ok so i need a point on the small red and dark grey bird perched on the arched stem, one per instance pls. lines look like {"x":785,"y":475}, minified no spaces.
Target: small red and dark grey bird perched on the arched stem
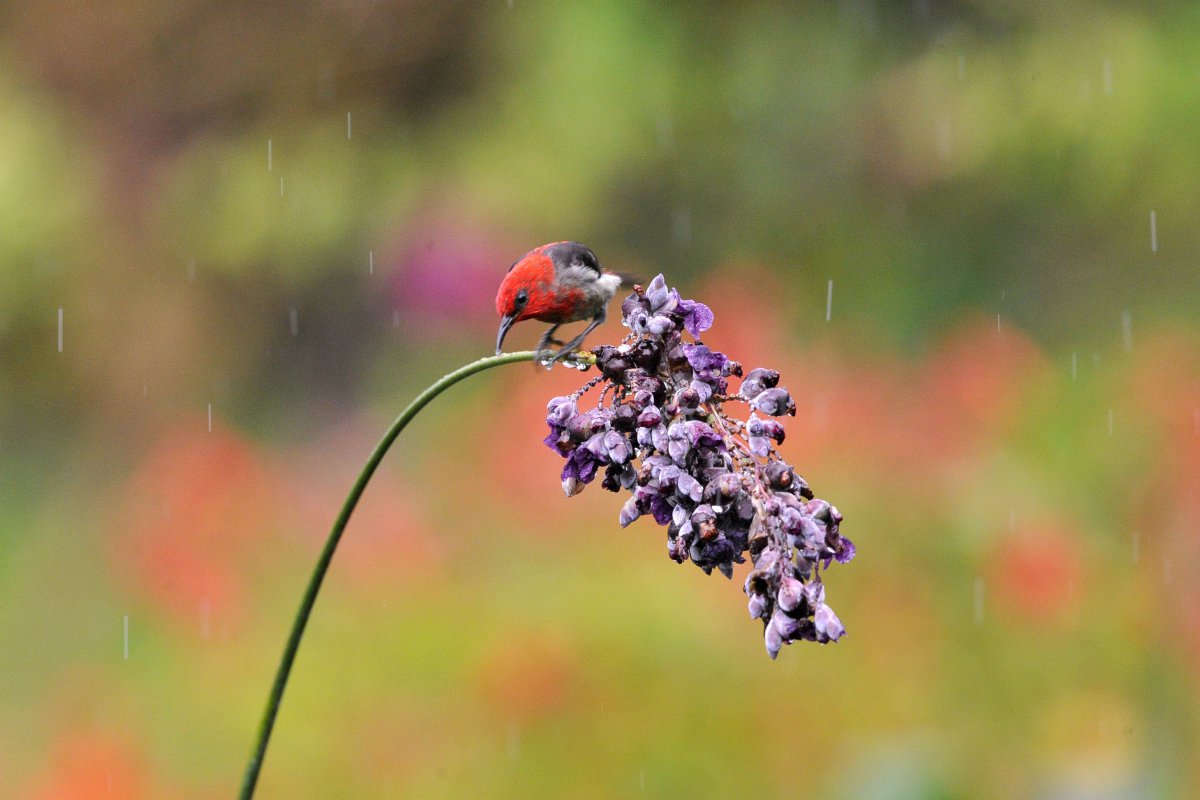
{"x":557,"y":284}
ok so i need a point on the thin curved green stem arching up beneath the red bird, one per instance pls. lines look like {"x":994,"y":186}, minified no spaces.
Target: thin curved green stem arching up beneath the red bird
{"x":327,"y":555}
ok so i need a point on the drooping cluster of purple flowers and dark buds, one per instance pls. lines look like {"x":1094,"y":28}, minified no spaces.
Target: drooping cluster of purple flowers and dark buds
{"x":661,"y":431}
